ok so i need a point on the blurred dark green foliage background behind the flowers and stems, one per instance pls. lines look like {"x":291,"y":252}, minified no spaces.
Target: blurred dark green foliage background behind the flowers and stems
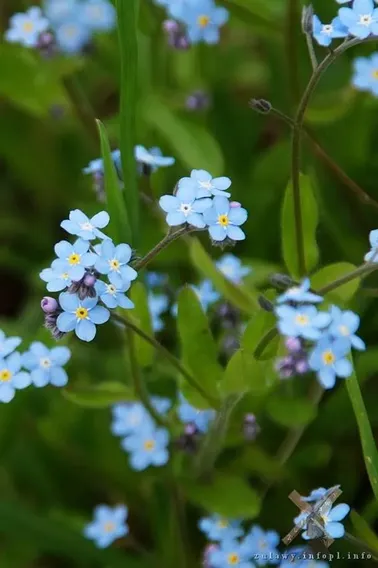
{"x":58,"y":459}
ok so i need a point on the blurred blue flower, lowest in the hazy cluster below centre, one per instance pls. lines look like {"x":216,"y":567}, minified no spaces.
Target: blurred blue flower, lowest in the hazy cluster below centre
{"x":147,"y":446}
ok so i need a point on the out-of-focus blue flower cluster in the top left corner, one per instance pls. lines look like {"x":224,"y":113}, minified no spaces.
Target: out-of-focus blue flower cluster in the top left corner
{"x":67,"y":25}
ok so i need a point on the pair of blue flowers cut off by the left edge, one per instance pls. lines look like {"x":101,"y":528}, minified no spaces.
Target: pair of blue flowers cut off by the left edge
{"x":39,"y":366}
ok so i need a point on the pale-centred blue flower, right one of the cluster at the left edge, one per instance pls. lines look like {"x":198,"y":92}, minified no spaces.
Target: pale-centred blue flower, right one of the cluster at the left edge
{"x":46,"y":364}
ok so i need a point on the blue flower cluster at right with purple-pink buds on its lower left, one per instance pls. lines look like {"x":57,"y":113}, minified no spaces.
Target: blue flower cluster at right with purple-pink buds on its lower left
{"x":317,"y":341}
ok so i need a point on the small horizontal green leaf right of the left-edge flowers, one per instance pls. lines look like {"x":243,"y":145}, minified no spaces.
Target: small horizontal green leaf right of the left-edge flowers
{"x":99,"y":396}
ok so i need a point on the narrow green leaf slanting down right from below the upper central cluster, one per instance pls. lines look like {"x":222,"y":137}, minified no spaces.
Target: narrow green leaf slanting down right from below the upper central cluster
{"x":239,"y":296}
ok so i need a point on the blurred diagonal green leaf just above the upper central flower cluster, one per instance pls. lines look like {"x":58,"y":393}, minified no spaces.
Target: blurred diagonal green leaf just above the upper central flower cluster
{"x":190,"y":142}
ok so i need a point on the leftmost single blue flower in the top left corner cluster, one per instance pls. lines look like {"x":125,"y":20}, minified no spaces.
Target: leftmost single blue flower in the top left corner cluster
{"x":25,"y":28}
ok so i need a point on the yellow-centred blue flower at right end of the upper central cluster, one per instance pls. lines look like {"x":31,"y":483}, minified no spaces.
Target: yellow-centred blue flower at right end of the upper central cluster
{"x":224,"y":220}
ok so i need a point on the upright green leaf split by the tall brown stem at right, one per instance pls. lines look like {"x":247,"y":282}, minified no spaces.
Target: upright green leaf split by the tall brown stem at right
{"x":309,"y":211}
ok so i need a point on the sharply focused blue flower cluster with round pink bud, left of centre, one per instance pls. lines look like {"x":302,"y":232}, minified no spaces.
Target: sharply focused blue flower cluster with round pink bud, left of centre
{"x":77,"y":269}
